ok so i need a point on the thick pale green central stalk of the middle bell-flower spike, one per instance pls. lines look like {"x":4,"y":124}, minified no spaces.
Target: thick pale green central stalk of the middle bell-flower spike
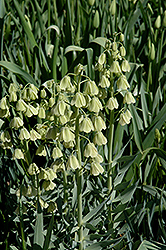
{"x":79,"y":177}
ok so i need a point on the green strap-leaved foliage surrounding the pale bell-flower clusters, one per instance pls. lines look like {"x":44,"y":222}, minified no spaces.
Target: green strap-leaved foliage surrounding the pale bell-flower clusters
{"x":45,"y":40}
